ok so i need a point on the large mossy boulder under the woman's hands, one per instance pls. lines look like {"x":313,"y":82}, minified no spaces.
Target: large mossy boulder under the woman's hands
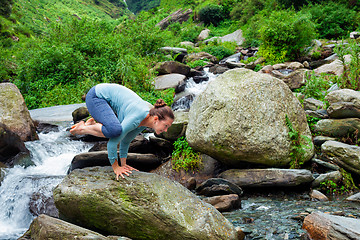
{"x":141,"y":206}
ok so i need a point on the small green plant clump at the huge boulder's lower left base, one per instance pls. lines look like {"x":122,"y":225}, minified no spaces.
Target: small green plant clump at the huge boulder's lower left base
{"x":183,"y":156}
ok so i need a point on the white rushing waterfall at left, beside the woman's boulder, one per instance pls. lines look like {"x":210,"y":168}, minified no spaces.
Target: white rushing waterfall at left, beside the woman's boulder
{"x":52,"y":155}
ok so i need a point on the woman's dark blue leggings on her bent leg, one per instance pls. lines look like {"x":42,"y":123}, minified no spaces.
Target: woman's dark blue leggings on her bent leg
{"x":102,"y":112}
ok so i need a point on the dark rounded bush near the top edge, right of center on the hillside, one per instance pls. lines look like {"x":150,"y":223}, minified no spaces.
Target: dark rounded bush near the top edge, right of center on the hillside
{"x":212,"y":14}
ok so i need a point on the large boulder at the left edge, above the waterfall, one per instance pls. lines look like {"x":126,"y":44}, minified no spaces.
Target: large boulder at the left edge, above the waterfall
{"x":14,"y":113}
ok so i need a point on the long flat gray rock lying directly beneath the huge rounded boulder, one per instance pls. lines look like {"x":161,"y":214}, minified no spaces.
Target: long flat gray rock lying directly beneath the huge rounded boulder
{"x":273,"y":177}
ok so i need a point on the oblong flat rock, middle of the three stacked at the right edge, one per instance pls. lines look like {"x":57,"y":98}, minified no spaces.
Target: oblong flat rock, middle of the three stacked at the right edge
{"x":338,"y":127}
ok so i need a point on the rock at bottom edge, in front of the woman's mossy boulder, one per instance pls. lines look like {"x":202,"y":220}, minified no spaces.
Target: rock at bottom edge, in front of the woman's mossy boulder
{"x":46,"y":227}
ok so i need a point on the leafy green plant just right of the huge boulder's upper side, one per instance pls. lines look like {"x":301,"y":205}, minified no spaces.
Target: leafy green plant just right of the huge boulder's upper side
{"x":315,"y":87}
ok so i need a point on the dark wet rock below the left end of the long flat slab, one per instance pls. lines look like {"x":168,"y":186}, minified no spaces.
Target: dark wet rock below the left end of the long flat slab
{"x":218,"y":186}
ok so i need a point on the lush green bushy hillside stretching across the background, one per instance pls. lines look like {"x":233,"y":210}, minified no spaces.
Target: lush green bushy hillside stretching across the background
{"x":54,"y":51}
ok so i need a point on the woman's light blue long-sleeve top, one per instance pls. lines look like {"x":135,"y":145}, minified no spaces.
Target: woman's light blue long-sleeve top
{"x":130,"y":110}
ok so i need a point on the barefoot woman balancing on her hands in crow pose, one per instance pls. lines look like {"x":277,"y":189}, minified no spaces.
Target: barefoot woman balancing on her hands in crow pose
{"x":120,"y":114}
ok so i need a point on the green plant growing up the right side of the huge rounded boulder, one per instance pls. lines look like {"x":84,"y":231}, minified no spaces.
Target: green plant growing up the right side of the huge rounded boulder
{"x":297,"y":148}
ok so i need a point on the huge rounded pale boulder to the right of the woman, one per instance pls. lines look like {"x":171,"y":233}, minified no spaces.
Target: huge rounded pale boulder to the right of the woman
{"x":241,"y":117}
